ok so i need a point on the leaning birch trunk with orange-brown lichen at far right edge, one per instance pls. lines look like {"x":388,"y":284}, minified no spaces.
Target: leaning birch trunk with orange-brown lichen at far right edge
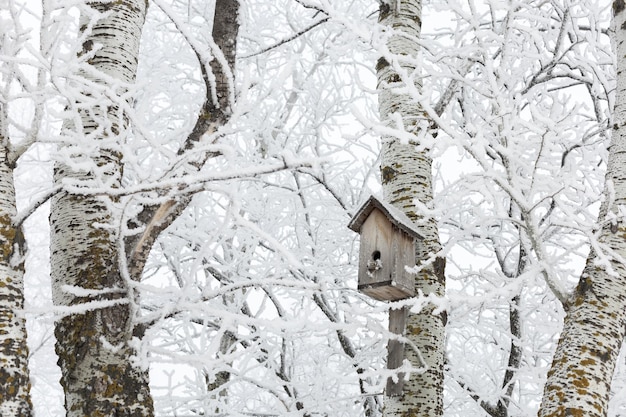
{"x":579,"y":380}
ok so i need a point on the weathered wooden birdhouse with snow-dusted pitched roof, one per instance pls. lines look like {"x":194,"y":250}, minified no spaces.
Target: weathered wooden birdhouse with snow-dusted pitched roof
{"x":387,"y":247}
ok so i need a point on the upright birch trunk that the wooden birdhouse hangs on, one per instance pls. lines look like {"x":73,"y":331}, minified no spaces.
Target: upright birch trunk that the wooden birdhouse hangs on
{"x":406,"y":177}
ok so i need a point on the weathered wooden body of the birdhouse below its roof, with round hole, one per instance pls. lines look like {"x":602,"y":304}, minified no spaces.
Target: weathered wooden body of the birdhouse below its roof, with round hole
{"x":384,"y":253}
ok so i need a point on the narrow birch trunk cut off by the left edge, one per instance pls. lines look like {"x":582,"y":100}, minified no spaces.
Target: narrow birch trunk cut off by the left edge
{"x":14,"y":376}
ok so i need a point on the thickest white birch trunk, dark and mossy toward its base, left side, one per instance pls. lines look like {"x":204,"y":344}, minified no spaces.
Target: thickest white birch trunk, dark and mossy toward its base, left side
{"x":99,"y":376}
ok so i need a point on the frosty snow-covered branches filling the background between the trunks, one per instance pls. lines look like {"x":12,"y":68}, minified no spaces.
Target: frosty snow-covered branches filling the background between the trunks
{"x":262,"y":250}
